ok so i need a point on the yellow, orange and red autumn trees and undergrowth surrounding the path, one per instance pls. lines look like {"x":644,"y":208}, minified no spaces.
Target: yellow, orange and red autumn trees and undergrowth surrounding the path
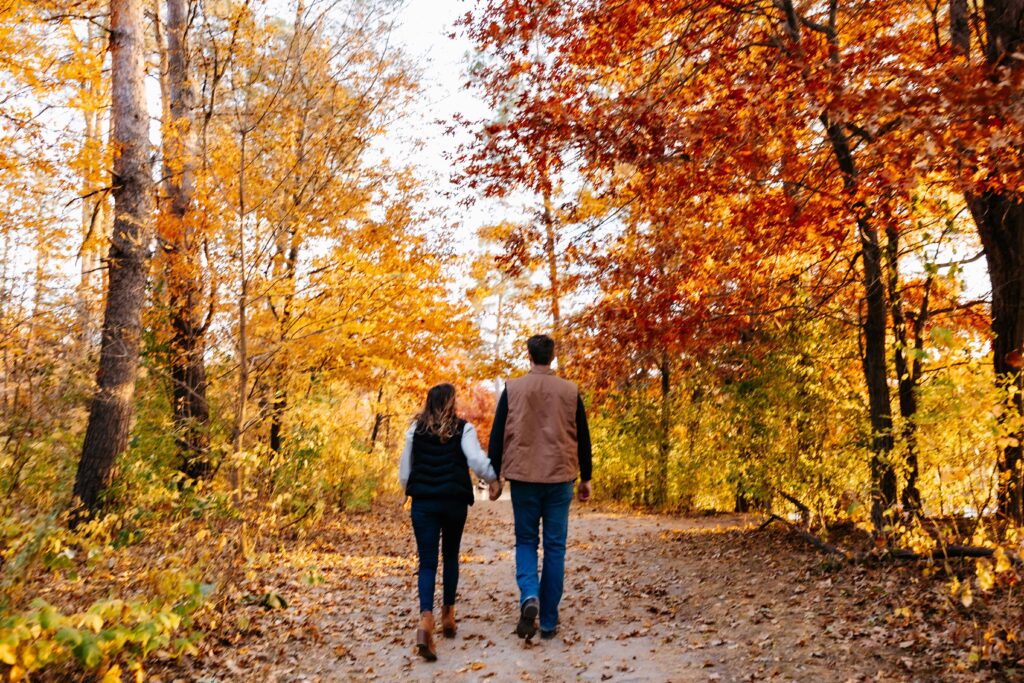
{"x":779,"y":243}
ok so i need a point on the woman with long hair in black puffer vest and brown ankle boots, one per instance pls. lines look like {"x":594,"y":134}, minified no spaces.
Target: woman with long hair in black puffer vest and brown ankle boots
{"x":435,"y":472}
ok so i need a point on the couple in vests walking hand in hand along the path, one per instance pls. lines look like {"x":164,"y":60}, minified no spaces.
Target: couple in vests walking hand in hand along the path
{"x":540,"y":444}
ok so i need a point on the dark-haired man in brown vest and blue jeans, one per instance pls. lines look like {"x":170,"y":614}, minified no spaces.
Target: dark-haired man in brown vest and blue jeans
{"x":540,"y":444}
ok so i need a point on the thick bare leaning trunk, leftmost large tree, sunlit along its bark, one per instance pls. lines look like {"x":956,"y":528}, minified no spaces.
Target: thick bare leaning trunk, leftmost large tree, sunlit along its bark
{"x":111,"y":410}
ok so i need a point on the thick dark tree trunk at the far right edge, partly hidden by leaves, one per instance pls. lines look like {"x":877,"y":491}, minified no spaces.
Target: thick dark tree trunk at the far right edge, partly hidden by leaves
{"x":1000,"y":218}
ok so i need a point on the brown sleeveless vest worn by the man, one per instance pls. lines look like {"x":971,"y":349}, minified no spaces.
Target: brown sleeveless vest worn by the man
{"x":541,"y":433}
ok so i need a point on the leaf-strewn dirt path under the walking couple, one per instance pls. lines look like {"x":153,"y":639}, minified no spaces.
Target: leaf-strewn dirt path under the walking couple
{"x":648,"y":599}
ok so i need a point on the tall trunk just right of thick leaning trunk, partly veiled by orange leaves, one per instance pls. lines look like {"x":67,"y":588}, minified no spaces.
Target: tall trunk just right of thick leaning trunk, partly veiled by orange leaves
{"x":183,"y":246}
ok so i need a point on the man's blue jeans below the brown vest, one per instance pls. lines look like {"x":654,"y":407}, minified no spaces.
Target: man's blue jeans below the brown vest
{"x":532,"y":505}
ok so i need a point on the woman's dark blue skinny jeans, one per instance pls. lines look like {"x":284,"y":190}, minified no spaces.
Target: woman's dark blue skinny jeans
{"x":434,"y":522}
